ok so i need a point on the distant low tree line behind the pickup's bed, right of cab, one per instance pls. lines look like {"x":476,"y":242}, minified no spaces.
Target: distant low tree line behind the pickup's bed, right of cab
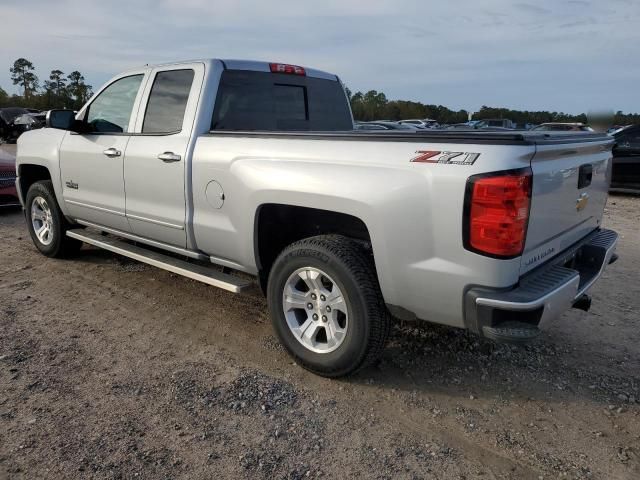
{"x":374,"y":105}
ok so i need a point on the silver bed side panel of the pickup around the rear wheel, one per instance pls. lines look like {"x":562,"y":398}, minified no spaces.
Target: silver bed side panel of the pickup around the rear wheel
{"x":413,"y":211}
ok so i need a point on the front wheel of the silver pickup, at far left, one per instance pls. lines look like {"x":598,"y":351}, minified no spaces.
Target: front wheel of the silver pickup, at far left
{"x":46,"y":223}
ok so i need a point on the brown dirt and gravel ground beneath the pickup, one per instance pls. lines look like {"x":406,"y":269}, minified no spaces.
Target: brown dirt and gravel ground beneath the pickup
{"x":112,"y":369}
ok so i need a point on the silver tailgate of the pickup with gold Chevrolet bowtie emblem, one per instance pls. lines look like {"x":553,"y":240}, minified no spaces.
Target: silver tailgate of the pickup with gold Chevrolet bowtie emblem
{"x":570,"y":183}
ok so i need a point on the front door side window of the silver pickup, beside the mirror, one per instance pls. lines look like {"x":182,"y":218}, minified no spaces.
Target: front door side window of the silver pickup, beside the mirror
{"x":111,"y":111}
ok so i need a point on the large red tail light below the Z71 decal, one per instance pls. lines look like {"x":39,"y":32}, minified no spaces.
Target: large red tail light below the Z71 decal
{"x":496,"y":213}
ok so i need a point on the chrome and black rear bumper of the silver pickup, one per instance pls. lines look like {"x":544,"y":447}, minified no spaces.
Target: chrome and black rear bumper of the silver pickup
{"x":541,"y":295}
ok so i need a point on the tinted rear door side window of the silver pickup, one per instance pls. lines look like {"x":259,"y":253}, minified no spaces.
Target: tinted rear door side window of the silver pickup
{"x":168,"y":101}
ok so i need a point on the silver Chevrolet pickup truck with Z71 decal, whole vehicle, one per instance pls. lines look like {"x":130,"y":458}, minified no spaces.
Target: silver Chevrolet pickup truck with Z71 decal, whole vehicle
{"x":226,"y":170}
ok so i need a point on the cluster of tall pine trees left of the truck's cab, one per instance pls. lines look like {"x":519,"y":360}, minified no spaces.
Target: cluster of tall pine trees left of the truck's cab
{"x":59,"y":91}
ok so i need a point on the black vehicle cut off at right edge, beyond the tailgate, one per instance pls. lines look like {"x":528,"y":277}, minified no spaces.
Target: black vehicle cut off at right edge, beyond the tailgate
{"x":625,"y":175}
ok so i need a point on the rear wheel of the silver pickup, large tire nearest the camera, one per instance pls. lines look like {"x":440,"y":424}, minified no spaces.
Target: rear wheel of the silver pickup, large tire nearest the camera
{"x":326,"y":305}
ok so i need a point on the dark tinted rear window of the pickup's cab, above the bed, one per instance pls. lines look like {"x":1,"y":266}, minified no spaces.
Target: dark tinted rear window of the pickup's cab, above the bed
{"x":266,"y":101}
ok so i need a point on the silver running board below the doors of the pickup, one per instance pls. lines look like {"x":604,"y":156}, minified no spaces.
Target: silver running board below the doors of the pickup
{"x":194,"y":271}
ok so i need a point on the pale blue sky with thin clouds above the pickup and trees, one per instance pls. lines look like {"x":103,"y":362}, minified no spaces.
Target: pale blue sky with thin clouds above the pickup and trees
{"x":559,"y":55}
